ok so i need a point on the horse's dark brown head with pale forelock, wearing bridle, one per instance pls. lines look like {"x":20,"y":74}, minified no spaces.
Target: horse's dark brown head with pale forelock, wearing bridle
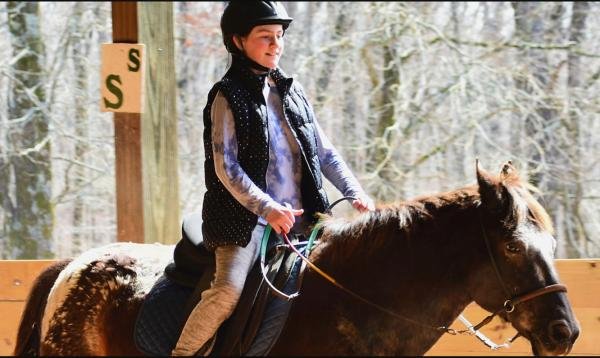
{"x":519,"y":246}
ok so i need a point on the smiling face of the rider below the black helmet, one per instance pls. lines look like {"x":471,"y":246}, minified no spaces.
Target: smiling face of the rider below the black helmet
{"x":264,"y":44}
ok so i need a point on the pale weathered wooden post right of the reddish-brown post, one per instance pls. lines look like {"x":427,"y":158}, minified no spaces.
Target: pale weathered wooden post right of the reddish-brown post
{"x":159,"y":124}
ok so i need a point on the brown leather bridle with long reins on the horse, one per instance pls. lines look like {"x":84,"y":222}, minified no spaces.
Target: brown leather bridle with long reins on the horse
{"x":508,"y":306}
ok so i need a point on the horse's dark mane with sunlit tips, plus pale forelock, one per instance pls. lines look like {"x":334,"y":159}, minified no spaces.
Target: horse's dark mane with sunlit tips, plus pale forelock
{"x":407,"y":215}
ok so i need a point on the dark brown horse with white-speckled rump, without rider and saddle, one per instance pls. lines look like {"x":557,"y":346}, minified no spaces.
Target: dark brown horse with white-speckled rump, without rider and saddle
{"x":403,"y":272}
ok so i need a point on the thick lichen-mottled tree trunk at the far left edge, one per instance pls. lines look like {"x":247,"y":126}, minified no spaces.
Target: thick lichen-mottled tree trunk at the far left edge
{"x":28,"y":211}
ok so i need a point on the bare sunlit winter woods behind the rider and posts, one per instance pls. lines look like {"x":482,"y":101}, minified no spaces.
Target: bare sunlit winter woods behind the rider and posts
{"x":410,"y":93}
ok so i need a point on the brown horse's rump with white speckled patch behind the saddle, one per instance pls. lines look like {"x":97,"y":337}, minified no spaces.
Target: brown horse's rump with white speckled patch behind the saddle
{"x":93,"y":304}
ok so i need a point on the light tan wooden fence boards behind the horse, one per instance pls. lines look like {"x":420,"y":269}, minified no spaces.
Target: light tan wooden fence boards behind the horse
{"x":581,"y":276}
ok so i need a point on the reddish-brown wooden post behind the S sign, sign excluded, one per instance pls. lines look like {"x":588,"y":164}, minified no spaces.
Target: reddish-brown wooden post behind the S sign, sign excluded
{"x":128,"y":153}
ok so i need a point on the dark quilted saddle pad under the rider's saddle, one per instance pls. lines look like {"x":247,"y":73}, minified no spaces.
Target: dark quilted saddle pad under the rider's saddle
{"x":161,"y":317}
